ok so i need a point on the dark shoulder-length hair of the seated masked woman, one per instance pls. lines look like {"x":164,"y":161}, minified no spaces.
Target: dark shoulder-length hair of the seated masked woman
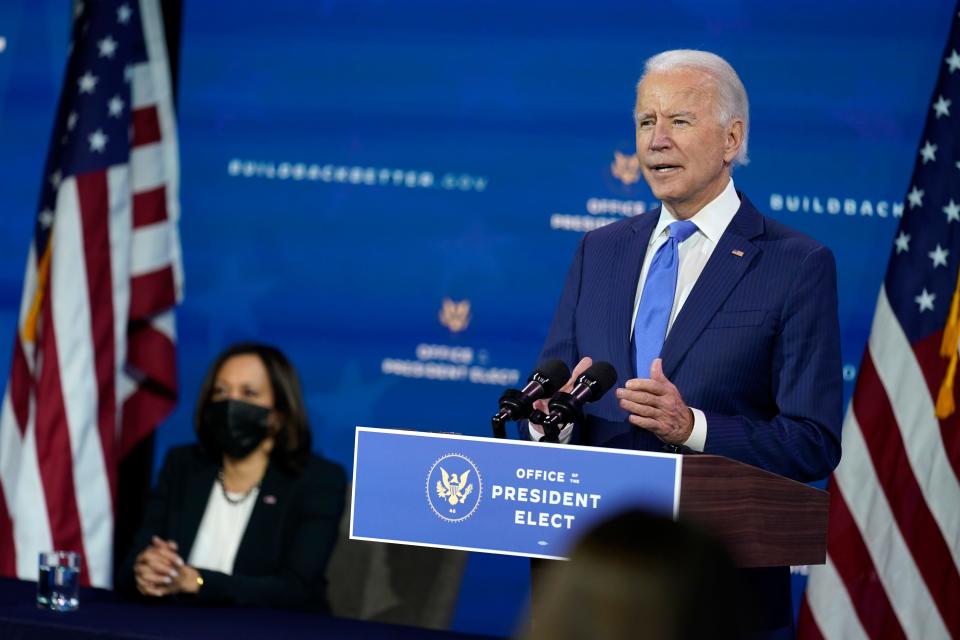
{"x":292,"y":440}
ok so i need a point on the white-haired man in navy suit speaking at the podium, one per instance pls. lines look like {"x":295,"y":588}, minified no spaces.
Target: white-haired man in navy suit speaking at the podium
{"x":721,"y":322}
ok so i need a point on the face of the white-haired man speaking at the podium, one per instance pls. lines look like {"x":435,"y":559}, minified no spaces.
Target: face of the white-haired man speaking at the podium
{"x":684,"y":151}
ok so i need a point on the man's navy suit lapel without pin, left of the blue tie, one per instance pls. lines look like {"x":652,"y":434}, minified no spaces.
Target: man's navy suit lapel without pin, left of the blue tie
{"x":628,"y":260}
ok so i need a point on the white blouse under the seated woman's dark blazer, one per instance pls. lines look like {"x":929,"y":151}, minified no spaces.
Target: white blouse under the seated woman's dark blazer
{"x":221,"y":530}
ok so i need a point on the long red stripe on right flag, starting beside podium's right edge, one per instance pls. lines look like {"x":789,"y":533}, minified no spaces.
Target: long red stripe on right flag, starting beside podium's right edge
{"x":853,"y":565}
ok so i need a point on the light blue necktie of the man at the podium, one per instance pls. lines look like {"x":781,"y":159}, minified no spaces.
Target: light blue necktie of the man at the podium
{"x":656,"y":301}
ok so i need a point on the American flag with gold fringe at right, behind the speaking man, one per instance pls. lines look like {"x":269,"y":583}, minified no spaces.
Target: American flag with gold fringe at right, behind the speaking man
{"x":893,"y":549}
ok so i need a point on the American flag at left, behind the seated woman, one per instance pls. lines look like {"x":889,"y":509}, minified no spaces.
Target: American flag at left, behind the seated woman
{"x":93,"y":367}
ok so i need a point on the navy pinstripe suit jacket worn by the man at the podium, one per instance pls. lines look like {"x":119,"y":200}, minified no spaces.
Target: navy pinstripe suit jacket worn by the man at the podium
{"x":756,"y":345}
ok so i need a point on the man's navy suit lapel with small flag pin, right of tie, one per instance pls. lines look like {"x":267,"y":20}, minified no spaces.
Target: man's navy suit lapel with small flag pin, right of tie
{"x":716,"y":282}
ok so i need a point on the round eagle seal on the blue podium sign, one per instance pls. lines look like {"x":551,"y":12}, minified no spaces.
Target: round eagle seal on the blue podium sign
{"x":454,"y":487}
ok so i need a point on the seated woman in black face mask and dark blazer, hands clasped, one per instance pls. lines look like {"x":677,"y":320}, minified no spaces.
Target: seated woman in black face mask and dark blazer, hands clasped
{"x":247,"y":516}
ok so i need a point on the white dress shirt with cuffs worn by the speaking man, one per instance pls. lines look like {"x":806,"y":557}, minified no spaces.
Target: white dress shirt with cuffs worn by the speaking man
{"x":694,"y":253}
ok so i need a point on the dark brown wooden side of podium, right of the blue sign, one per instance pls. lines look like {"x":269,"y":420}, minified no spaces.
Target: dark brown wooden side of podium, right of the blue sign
{"x":765,"y":520}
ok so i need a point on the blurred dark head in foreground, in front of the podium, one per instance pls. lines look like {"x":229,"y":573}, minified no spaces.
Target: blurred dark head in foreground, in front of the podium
{"x":640,"y":576}
